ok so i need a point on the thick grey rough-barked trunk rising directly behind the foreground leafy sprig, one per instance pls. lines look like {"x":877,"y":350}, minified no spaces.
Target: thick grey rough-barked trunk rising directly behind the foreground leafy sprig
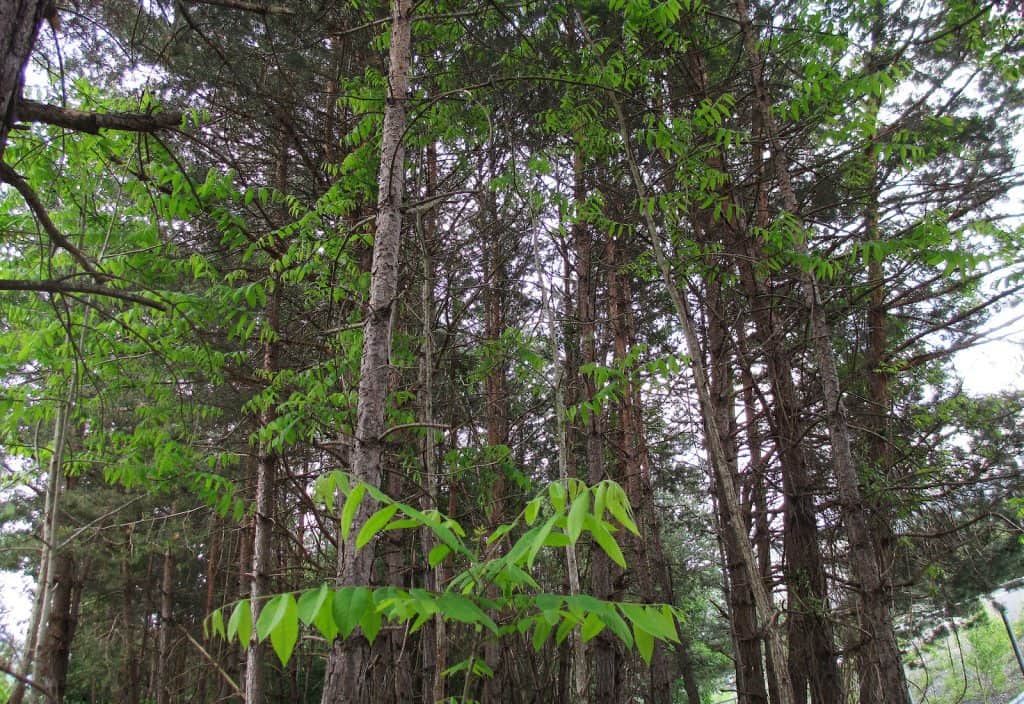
{"x":348,"y":664}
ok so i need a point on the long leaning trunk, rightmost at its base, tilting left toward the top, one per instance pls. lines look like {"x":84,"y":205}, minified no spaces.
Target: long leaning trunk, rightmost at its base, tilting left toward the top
{"x":881,"y":657}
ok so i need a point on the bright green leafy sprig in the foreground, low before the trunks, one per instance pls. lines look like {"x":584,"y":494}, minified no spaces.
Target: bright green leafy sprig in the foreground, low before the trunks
{"x":571,"y":510}
